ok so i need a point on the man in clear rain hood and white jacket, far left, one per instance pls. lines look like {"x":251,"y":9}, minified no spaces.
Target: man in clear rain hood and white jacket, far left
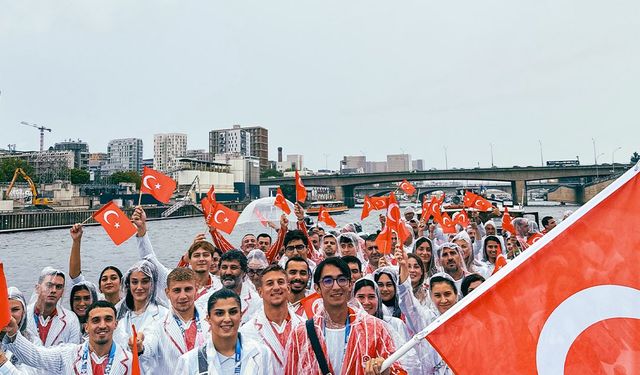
{"x":49,"y":323}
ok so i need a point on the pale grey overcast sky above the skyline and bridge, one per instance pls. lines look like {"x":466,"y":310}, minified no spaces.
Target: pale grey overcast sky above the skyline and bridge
{"x":330,"y":78}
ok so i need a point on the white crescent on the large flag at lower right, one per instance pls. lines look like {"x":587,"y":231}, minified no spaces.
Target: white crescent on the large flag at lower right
{"x":577,"y":313}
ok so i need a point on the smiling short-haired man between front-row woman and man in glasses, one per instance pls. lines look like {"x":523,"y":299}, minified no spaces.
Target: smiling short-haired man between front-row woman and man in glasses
{"x":273,"y":325}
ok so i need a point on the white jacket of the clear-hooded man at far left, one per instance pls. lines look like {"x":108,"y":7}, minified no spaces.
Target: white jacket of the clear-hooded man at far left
{"x":65,"y":328}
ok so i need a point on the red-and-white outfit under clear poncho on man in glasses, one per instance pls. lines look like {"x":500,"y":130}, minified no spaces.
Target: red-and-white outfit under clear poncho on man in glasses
{"x":368,"y":338}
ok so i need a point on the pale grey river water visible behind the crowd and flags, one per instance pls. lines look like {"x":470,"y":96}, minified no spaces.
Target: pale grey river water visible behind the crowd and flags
{"x":25,"y":254}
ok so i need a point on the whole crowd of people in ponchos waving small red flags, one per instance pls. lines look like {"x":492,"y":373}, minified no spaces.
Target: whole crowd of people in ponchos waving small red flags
{"x":311,"y":301}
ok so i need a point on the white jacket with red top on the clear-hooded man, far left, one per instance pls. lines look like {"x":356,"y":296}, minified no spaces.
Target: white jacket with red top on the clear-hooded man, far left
{"x":62,"y":327}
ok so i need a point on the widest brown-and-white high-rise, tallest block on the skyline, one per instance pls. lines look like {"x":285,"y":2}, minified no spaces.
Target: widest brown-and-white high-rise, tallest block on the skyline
{"x":245,"y":141}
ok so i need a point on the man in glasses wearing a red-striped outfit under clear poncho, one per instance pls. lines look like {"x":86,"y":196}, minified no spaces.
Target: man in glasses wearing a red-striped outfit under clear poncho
{"x":348,"y":340}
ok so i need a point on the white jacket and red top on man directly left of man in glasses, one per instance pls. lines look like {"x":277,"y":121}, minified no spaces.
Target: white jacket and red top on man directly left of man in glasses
{"x":273,"y":336}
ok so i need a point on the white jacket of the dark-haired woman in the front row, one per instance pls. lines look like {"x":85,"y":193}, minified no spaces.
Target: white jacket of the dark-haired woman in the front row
{"x":255,"y":359}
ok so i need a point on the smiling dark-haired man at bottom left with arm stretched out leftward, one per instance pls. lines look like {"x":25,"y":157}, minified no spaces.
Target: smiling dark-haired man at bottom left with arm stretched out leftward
{"x":99,"y":353}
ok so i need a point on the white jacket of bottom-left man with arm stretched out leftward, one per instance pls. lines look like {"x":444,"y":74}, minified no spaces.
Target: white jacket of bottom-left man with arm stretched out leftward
{"x":64,"y":359}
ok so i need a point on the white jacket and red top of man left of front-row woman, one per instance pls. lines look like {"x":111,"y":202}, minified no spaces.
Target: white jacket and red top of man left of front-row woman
{"x":173,"y":338}
